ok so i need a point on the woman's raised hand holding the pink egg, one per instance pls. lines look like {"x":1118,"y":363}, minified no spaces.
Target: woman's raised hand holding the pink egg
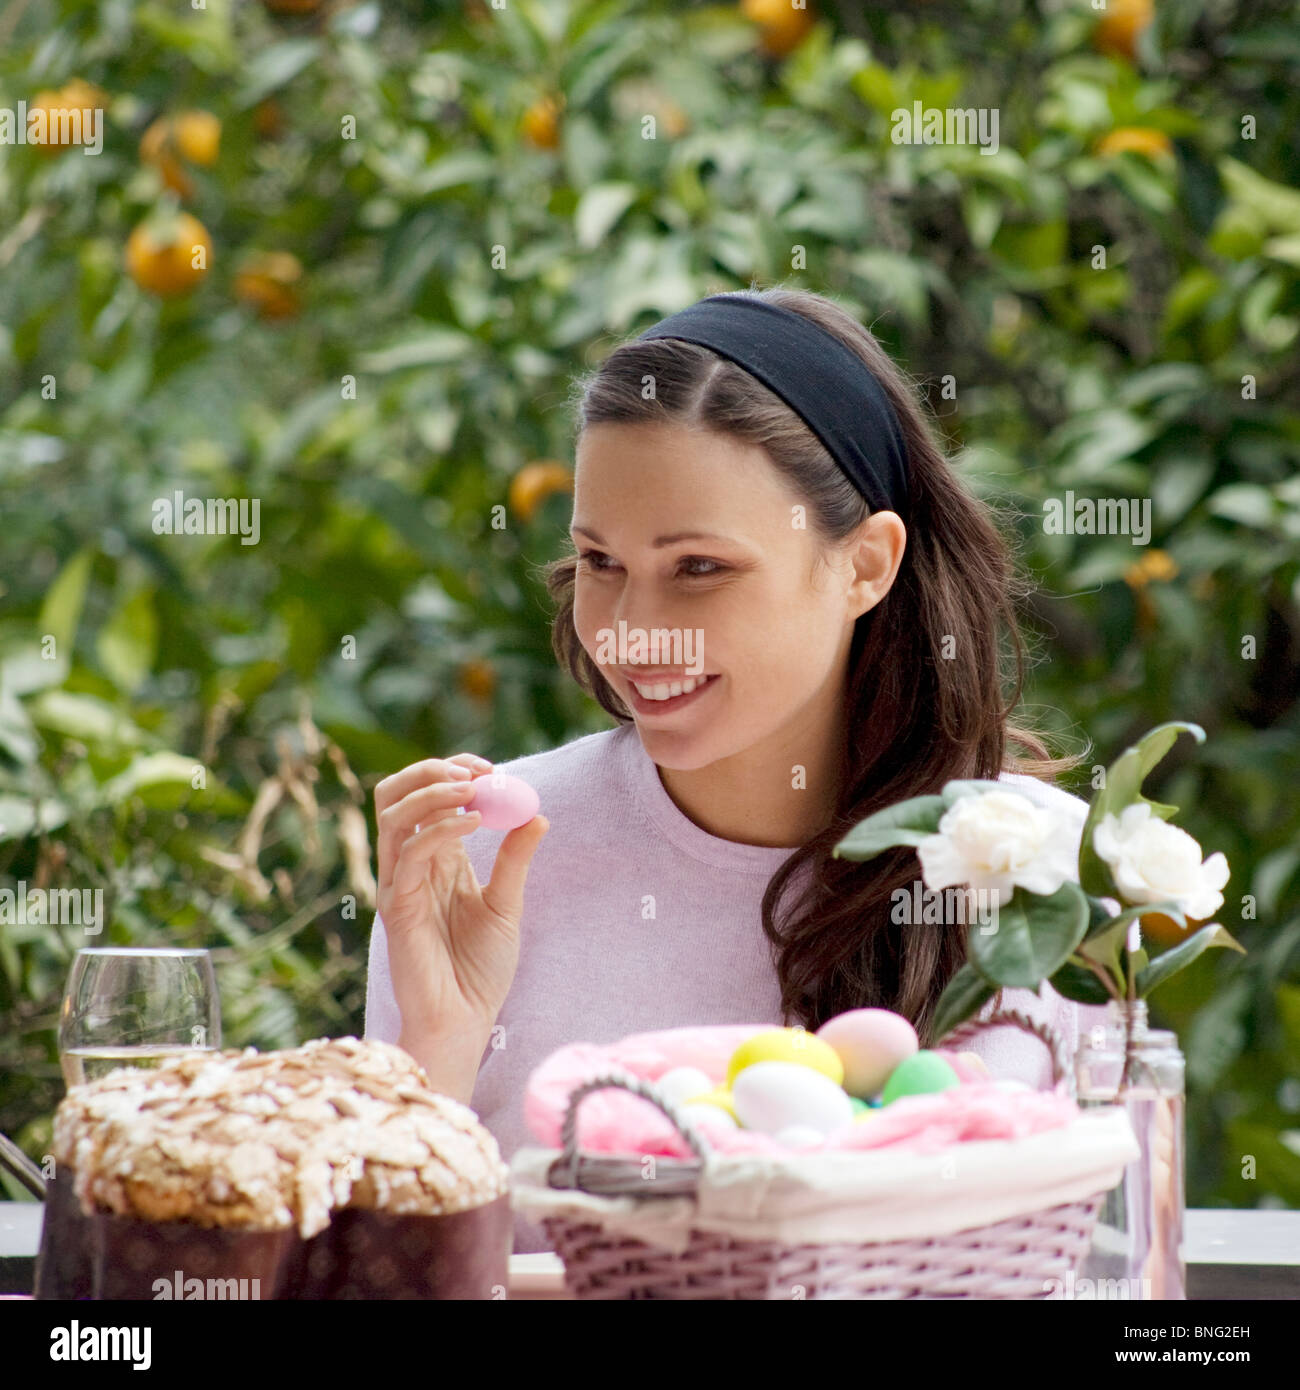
{"x":453,"y":945}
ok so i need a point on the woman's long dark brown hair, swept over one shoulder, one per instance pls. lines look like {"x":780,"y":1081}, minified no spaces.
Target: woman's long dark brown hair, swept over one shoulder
{"x":921,"y":711}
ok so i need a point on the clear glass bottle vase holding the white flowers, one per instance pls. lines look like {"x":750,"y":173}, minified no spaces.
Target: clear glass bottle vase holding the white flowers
{"x":1138,"y":1243}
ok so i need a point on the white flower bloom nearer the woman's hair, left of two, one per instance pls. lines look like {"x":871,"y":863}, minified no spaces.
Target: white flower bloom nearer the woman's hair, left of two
{"x":1002,"y":842}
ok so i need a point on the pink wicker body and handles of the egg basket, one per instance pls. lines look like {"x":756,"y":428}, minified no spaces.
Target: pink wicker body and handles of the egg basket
{"x":1020,"y":1259}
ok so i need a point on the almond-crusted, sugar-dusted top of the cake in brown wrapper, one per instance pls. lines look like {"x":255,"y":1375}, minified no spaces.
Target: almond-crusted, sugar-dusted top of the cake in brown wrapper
{"x":269,"y":1140}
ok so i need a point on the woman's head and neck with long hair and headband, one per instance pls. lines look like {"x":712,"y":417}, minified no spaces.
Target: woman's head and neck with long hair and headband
{"x":859,"y":657}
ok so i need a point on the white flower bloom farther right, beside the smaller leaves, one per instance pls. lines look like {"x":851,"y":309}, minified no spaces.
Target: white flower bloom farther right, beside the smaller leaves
{"x":1153,"y":861}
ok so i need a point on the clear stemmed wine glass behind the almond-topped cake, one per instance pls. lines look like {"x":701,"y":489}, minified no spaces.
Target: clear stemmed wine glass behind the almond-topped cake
{"x":134,"y":1007}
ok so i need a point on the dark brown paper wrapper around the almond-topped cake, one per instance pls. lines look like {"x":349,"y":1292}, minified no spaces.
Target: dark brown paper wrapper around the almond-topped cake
{"x":361,"y":1254}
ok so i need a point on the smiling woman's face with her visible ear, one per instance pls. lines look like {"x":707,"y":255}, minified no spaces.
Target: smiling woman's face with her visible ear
{"x":699,"y":539}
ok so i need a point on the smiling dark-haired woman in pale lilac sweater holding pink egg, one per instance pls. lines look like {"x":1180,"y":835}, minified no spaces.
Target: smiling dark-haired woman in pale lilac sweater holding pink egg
{"x":760,"y":498}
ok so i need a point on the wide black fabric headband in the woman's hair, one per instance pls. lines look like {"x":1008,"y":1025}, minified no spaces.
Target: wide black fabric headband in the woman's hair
{"x":827,"y":384}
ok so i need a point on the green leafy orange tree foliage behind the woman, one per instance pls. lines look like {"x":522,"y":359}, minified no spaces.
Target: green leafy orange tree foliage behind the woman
{"x":461,"y":276}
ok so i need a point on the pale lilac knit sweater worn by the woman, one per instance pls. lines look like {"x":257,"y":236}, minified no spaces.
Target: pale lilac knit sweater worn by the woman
{"x":636,"y":919}
